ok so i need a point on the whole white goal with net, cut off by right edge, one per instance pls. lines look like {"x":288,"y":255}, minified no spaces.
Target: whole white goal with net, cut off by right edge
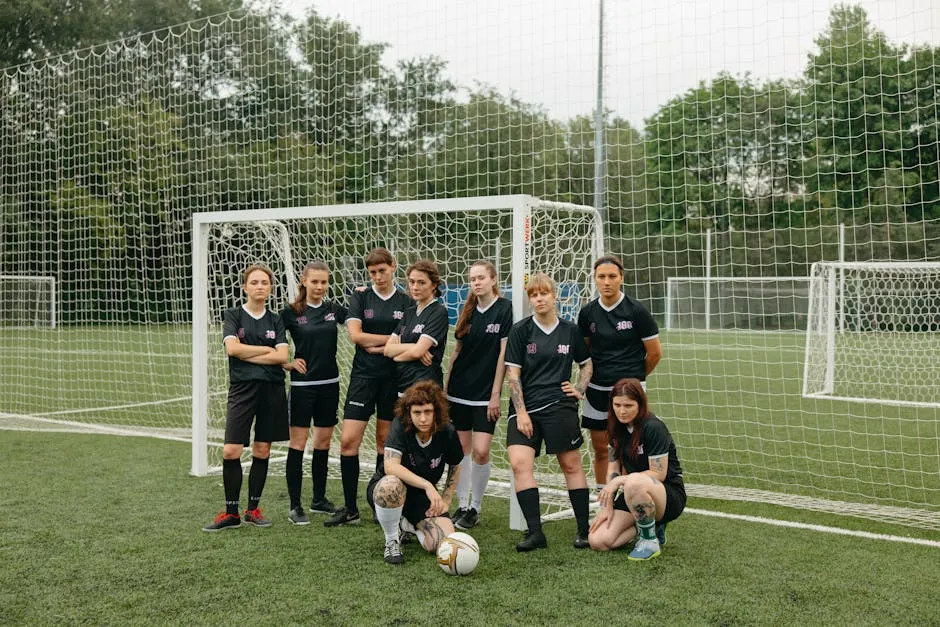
{"x":874,"y":333}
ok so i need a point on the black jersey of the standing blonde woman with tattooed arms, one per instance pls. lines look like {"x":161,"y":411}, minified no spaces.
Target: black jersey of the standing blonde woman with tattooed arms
{"x":545,"y":357}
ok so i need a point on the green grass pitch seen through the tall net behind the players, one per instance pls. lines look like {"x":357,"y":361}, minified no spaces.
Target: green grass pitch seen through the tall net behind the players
{"x":731,"y":400}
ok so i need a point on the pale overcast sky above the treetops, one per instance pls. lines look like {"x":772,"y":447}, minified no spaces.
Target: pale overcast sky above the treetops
{"x":545,"y":51}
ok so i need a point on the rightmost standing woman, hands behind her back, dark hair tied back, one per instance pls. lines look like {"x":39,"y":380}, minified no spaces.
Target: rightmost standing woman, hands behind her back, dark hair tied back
{"x":624,"y":342}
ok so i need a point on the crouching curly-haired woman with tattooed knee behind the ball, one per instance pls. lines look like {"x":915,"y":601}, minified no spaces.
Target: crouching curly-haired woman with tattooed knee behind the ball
{"x":420,"y":441}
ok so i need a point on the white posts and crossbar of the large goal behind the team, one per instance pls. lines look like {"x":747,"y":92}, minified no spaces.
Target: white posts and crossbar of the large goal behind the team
{"x":520,"y":207}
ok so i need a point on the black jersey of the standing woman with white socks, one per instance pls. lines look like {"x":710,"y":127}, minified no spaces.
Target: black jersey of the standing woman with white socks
{"x":471,"y":376}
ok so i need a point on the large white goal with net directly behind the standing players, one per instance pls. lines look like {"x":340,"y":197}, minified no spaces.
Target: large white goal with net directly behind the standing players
{"x":519,"y":234}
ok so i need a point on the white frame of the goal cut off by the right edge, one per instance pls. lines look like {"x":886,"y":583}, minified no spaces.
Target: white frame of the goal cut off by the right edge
{"x":826,"y":321}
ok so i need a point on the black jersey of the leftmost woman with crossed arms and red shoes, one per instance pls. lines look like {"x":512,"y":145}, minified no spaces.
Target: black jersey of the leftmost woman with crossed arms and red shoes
{"x":268,"y":330}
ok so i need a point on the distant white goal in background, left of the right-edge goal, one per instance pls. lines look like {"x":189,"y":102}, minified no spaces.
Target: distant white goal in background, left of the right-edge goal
{"x":737,"y":303}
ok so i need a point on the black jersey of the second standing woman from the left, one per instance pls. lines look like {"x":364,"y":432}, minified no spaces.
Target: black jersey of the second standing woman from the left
{"x":314,"y":334}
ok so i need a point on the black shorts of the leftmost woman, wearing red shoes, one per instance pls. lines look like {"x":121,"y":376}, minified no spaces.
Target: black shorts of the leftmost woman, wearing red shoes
{"x":261,"y":402}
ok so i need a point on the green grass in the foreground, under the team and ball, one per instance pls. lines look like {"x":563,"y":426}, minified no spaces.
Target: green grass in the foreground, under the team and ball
{"x":100,"y":529}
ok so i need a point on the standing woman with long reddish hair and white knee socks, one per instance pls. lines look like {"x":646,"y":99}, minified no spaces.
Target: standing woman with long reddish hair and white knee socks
{"x":475,"y":384}
